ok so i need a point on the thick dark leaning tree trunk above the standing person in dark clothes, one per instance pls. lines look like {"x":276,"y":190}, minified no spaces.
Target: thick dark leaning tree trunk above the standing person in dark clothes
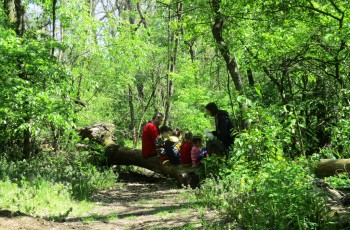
{"x":217,"y":30}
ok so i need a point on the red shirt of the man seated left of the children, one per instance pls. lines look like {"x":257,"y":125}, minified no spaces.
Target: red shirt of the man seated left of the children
{"x":149,"y":135}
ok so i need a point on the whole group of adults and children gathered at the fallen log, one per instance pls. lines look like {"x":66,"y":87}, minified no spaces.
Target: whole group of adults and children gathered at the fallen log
{"x":170,"y":144}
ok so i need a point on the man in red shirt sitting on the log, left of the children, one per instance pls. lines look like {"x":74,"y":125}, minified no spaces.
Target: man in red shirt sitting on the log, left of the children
{"x":149,"y":135}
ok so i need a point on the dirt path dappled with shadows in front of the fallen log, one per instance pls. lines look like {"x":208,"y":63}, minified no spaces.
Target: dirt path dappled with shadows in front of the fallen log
{"x":137,"y":202}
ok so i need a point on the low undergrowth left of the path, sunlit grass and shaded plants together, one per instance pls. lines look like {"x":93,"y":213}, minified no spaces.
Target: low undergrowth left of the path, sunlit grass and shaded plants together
{"x":52,"y":186}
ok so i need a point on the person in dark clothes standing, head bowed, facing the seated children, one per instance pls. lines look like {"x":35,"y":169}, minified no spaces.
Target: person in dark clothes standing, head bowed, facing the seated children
{"x":223,"y":124}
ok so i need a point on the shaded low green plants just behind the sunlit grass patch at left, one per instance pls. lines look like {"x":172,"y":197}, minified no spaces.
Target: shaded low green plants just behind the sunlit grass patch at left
{"x":72,"y":170}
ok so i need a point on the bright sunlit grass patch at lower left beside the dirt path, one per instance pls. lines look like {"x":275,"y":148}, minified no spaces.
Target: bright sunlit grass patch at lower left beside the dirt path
{"x":44,"y":199}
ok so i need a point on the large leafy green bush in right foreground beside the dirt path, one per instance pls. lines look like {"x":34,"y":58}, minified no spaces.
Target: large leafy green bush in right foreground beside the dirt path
{"x":258,"y":187}
